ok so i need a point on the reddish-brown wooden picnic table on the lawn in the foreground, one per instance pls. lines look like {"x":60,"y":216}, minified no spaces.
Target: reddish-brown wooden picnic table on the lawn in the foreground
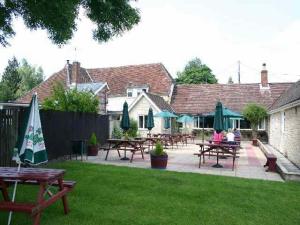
{"x":45,"y":178}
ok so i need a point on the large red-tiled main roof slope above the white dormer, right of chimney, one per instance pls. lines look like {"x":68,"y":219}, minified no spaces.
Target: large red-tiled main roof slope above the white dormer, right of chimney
{"x":120,"y":78}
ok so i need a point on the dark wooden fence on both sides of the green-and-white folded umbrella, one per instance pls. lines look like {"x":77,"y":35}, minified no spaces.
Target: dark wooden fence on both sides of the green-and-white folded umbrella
{"x":59,"y":129}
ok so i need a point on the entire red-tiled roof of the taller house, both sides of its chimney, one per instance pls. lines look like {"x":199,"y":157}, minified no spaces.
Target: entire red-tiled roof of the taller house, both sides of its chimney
{"x":118,"y":79}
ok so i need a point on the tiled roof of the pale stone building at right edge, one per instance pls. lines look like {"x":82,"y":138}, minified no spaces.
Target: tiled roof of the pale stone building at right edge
{"x":290,"y":95}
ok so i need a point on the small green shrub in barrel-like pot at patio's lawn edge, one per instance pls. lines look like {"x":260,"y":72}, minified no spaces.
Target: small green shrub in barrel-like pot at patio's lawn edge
{"x":159,"y":158}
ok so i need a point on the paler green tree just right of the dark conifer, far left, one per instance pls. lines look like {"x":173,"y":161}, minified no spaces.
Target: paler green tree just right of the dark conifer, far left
{"x":31,"y":77}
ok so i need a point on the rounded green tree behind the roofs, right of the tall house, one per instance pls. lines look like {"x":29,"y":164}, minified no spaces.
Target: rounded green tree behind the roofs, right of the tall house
{"x":196,"y":73}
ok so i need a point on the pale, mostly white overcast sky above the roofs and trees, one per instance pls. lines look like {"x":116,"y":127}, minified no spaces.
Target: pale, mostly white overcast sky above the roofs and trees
{"x":219,"y":32}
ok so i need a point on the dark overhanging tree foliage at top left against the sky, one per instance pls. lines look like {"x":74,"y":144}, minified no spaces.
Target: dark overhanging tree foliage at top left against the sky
{"x":111,"y":17}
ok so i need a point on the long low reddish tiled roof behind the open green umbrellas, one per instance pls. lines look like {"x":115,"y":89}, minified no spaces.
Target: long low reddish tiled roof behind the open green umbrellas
{"x":197,"y":99}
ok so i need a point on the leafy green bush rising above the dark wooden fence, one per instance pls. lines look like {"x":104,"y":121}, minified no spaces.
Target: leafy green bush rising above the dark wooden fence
{"x":71,"y":100}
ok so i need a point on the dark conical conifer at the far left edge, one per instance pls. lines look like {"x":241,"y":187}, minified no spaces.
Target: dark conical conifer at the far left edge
{"x":10,"y":82}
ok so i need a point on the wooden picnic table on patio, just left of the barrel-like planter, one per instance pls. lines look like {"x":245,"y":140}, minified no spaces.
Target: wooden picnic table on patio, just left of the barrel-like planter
{"x":125,"y":145}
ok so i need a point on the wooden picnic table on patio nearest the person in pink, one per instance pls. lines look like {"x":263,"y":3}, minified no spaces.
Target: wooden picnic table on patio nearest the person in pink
{"x":215,"y":149}
